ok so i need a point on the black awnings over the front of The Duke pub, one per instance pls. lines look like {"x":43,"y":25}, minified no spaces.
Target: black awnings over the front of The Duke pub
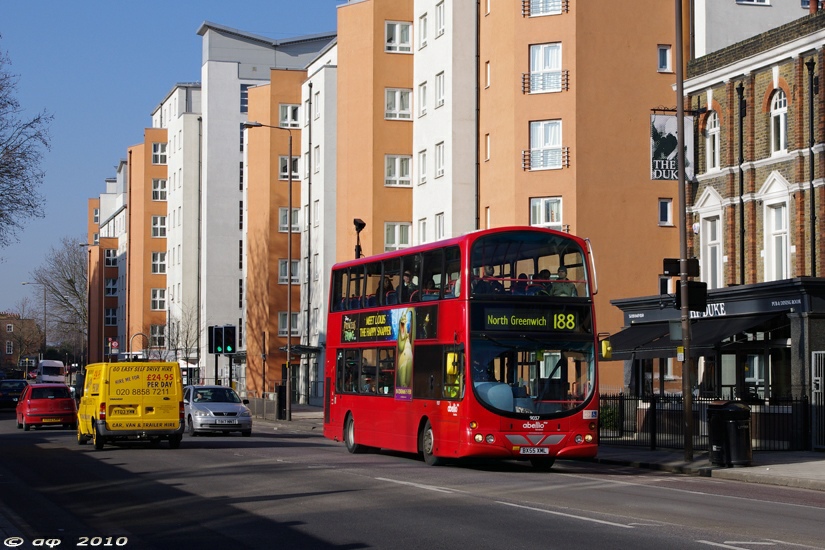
{"x":651,"y":340}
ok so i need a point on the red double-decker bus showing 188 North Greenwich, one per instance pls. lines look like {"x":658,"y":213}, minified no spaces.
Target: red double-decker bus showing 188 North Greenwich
{"x":484,"y":345}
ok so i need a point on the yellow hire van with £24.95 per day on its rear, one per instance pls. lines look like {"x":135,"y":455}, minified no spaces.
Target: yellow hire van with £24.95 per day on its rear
{"x":131,"y":401}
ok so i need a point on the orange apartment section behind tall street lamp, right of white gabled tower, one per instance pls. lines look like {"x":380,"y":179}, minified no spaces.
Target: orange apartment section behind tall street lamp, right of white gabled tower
{"x":277,"y":105}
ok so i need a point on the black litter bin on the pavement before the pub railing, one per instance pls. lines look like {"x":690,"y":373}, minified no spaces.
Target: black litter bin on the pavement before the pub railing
{"x":729,"y":433}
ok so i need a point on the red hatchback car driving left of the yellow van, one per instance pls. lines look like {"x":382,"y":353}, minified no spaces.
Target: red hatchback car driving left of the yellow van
{"x":46,"y":405}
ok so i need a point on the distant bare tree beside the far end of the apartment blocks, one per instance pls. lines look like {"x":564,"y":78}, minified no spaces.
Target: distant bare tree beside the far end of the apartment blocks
{"x":63,"y":275}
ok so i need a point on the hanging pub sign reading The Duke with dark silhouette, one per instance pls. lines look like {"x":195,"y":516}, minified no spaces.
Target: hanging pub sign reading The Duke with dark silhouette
{"x":663,"y":144}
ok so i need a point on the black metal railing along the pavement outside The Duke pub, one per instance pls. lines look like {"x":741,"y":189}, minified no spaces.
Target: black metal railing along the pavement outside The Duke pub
{"x":658,"y":422}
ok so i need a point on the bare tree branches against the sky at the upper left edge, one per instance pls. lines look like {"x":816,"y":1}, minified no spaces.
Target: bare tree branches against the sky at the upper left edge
{"x":22,"y":144}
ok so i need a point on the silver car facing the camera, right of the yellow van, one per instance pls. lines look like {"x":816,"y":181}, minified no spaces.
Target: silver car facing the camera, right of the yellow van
{"x":215,"y":409}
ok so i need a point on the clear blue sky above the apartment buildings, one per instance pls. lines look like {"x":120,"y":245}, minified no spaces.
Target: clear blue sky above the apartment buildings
{"x":101,"y":67}
